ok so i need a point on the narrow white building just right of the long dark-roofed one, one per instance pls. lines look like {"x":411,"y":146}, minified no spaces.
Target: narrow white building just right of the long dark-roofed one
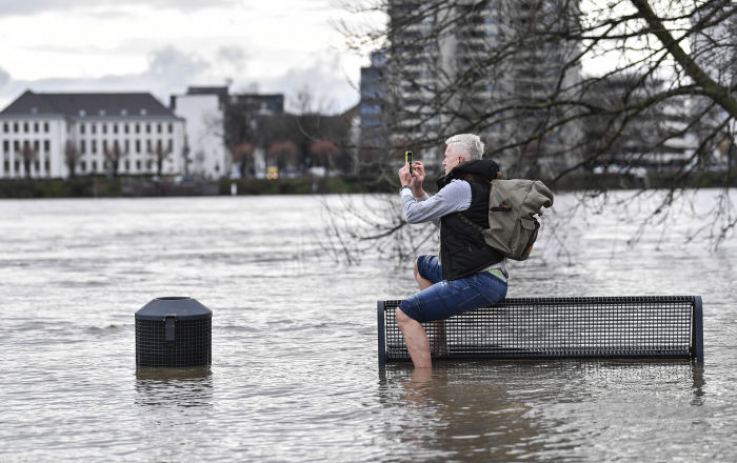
{"x":203,"y":111}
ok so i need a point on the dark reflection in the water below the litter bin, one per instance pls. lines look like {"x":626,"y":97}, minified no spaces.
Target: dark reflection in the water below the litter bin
{"x":182,"y":387}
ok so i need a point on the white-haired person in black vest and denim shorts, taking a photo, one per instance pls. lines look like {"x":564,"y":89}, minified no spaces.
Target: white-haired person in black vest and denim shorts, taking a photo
{"x":467,"y":274}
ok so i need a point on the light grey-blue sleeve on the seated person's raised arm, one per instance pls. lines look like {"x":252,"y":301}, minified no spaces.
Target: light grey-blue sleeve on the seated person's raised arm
{"x":455,"y":197}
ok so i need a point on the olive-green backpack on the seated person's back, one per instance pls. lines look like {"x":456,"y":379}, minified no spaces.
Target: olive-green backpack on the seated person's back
{"x":513,"y":205}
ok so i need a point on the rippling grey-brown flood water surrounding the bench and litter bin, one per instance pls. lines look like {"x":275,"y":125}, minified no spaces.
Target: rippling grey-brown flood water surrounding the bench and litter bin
{"x":294,"y":375}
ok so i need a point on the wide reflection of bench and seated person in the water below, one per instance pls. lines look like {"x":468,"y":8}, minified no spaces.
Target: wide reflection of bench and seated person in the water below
{"x":531,"y":411}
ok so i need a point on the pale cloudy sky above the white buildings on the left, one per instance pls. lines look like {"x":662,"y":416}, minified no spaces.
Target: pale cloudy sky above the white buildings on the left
{"x":164,"y":46}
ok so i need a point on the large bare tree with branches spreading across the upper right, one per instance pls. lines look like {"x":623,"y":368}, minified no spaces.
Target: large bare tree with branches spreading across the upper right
{"x":556,"y":86}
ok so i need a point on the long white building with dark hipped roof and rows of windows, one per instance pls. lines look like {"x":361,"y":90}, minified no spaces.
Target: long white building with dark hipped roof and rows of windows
{"x":47,"y":135}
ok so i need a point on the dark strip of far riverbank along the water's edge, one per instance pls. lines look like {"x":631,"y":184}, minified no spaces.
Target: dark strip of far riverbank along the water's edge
{"x":105,"y":187}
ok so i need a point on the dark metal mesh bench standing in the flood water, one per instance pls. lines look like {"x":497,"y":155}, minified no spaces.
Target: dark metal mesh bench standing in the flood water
{"x":647,"y":327}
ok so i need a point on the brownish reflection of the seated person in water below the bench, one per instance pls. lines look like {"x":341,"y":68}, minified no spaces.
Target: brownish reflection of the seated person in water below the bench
{"x":460,"y":413}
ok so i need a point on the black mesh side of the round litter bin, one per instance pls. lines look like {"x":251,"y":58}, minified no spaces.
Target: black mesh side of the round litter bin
{"x":191,"y":345}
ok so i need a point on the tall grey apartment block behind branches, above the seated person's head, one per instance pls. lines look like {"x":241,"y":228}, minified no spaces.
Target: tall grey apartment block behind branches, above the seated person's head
{"x":485,"y":67}
